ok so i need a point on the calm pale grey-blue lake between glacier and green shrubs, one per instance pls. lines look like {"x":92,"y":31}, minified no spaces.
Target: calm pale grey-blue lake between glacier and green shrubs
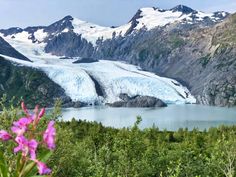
{"x":171,"y":118}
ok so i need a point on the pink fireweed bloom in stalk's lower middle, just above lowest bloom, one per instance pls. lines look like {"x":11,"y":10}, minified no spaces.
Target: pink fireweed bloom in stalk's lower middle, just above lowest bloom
{"x":26,"y":146}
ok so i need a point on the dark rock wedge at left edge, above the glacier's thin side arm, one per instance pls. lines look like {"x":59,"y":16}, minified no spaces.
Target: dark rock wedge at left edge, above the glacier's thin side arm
{"x":8,"y":50}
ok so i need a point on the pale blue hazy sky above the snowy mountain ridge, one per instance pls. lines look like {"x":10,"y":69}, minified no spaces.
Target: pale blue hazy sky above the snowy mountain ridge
{"x":23,"y":13}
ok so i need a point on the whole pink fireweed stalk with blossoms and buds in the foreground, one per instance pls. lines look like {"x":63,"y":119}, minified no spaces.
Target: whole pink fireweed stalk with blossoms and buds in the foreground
{"x":24,"y":135}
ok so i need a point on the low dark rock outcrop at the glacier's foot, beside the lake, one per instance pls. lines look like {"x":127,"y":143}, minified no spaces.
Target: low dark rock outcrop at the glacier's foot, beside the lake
{"x":138,"y":101}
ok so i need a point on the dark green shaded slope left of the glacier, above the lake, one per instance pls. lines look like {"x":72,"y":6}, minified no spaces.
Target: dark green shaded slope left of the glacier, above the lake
{"x":27,"y":83}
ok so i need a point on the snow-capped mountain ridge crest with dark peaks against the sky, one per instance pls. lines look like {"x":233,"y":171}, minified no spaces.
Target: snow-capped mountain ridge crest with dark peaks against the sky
{"x":144,"y":19}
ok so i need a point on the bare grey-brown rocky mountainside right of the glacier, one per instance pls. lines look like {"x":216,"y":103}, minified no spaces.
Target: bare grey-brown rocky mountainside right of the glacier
{"x":201,"y":58}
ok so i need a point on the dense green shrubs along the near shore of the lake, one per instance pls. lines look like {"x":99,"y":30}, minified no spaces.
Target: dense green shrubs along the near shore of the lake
{"x":90,"y":149}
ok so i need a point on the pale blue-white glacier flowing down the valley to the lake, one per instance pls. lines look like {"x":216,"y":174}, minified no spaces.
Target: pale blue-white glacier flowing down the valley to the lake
{"x":113,"y":77}
